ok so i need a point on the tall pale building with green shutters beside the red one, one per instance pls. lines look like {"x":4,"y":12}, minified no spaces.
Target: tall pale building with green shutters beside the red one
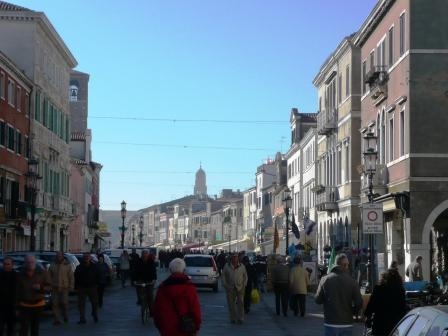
{"x":31,"y":41}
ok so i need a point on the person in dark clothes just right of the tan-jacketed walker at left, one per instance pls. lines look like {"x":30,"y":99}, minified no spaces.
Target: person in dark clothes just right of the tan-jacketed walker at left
{"x":87,"y":278}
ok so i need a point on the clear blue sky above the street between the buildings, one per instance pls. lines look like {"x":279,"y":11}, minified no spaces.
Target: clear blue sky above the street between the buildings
{"x":198,"y":62}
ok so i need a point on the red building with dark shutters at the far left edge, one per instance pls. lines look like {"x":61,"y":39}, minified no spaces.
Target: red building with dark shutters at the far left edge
{"x":15,"y":93}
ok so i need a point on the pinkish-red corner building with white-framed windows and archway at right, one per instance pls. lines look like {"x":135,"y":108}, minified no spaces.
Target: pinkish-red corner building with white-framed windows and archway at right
{"x":404,"y":104}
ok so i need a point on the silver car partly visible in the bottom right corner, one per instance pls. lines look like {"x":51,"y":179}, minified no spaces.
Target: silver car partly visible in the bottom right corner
{"x":423,"y":321}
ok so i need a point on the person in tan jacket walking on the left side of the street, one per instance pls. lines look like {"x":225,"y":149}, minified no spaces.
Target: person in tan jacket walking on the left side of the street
{"x":62,"y":282}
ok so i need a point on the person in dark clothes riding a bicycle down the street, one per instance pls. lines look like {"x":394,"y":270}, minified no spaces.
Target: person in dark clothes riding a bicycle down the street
{"x":147,"y":274}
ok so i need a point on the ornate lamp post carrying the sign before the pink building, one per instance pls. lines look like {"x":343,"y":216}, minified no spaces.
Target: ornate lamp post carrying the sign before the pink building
{"x":370,"y":157}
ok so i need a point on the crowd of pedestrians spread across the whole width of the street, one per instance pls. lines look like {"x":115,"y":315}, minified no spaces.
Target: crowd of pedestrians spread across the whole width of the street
{"x":23,"y":294}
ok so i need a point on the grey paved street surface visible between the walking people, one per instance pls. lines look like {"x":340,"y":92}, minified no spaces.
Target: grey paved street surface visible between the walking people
{"x":120,"y":316}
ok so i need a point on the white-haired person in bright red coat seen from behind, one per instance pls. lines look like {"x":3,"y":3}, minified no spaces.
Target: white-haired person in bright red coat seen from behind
{"x":176,"y":297}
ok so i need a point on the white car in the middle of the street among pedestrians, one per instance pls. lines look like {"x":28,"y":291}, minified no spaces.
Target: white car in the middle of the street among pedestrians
{"x":202,"y":270}
